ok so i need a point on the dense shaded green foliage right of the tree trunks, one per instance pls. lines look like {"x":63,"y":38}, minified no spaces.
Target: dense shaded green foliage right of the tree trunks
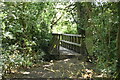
{"x":104,"y":32}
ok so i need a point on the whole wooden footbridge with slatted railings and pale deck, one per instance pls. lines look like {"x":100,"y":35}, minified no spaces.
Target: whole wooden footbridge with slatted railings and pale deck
{"x":67,"y":44}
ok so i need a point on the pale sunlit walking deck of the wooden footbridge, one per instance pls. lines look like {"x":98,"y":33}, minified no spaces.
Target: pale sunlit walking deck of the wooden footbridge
{"x":65,"y":51}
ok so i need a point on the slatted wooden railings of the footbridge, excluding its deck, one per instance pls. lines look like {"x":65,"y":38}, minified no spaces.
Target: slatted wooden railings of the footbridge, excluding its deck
{"x":71,"y":41}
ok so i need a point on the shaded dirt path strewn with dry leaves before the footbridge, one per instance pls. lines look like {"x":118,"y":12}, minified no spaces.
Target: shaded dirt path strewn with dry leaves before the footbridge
{"x":66,"y":68}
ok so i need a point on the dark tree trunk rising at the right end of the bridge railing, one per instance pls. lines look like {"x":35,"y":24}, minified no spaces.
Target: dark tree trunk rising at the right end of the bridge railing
{"x":81,"y":24}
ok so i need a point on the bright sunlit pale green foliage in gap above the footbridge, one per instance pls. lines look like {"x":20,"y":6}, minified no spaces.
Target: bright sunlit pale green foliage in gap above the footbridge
{"x":66,"y":24}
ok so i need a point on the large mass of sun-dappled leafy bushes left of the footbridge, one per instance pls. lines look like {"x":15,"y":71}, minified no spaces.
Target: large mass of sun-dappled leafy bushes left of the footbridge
{"x":26,"y":32}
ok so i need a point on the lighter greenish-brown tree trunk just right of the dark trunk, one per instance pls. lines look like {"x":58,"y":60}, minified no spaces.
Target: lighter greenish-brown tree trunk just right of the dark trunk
{"x":89,"y":33}
